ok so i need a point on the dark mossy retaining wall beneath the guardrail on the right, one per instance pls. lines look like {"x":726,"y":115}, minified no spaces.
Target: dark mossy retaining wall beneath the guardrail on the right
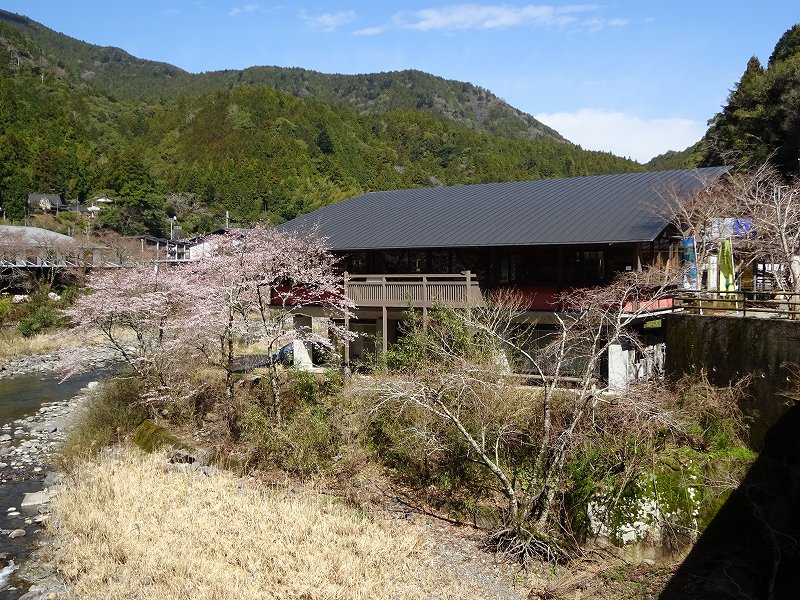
{"x":729,"y":347}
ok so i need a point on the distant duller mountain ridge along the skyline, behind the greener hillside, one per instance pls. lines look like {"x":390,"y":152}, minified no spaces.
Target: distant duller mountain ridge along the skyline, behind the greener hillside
{"x":114,"y":72}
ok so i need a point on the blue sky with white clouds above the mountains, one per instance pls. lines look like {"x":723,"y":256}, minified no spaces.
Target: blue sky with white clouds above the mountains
{"x":633,"y":77}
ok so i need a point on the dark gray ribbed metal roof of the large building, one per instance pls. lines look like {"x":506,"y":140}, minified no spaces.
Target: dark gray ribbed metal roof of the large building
{"x":578,"y":210}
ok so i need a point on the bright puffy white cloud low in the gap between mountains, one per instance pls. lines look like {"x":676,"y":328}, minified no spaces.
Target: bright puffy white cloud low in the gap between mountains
{"x":623,"y":134}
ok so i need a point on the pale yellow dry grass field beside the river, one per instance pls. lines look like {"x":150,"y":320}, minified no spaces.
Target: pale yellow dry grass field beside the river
{"x":124,"y":527}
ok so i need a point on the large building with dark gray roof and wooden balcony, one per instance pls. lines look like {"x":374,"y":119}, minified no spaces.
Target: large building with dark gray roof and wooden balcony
{"x":539,"y":237}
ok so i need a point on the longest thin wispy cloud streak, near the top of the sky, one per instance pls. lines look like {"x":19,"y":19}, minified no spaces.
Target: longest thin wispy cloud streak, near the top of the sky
{"x":473,"y":16}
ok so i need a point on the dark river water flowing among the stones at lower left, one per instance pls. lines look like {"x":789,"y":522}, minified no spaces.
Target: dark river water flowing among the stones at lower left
{"x":21,"y":396}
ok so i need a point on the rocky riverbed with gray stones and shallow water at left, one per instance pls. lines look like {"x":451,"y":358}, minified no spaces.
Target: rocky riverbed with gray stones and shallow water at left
{"x":27,"y":483}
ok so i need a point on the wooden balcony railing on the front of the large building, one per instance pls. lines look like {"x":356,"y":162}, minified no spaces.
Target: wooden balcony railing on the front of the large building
{"x":420,"y":291}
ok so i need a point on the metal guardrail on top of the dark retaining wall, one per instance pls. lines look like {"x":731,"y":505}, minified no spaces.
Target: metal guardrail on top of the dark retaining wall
{"x":784,"y":305}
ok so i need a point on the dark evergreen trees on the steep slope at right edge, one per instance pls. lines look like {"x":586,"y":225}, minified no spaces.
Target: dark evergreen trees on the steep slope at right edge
{"x":761,"y":119}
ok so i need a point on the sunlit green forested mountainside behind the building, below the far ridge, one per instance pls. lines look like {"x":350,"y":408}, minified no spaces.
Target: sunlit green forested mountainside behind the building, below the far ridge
{"x":251,"y":150}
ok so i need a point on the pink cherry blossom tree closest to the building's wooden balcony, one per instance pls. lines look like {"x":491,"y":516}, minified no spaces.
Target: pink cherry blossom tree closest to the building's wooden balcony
{"x":255,"y":285}
